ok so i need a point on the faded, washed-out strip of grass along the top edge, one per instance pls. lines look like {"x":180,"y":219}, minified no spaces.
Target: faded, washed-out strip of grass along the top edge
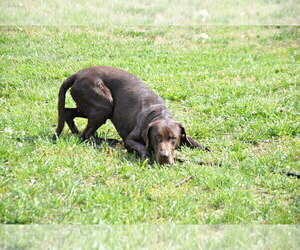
{"x":162,"y":12}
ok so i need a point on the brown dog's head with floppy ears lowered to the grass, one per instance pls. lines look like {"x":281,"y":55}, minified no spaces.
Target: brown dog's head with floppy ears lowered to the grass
{"x":163,"y":136}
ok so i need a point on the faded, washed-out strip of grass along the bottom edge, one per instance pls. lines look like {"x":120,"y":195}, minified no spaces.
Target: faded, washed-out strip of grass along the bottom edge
{"x":162,"y":236}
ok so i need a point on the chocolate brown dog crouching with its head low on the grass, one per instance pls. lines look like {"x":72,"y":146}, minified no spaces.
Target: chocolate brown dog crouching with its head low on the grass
{"x":140,"y":116}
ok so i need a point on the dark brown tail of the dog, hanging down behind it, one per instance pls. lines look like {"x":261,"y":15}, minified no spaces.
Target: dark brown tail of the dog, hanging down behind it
{"x":61,"y":104}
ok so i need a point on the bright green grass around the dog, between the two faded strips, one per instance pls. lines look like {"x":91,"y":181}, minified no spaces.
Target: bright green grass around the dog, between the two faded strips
{"x":240,"y":85}
